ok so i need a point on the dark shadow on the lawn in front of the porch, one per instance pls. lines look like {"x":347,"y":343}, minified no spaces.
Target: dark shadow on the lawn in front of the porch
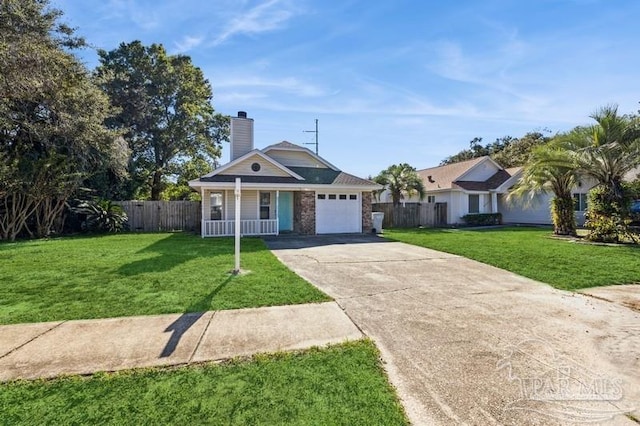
{"x":180,"y":248}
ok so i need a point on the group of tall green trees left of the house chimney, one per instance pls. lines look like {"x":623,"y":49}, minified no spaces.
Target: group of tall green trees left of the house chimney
{"x":139,"y":126}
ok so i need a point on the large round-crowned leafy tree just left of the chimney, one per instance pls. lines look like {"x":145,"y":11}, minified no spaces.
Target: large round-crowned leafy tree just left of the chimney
{"x":164,"y":110}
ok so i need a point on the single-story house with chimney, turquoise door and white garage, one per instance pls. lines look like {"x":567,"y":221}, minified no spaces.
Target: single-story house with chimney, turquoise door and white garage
{"x":284,"y":188}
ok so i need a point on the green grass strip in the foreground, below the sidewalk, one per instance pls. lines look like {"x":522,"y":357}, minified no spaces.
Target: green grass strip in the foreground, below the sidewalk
{"x":343,"y":384}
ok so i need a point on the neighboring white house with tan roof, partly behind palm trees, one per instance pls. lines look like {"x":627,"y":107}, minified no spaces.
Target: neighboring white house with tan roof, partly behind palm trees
{"x":481,"y":185}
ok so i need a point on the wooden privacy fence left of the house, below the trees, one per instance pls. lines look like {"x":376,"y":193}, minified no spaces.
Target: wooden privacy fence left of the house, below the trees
{"x":152,"y":216}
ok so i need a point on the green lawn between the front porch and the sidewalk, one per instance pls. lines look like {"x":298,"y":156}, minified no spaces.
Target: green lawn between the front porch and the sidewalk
{"x":140,"y":274}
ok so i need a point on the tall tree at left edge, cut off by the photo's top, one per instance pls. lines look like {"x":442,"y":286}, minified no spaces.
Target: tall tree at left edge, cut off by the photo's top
{"x":51,"y":120}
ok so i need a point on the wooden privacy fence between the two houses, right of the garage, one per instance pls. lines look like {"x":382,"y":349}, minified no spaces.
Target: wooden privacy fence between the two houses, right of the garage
{"x":411,"y":215}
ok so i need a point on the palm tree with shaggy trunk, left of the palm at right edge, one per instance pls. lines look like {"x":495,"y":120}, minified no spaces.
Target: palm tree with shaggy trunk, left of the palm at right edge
{"x":550,"y":170}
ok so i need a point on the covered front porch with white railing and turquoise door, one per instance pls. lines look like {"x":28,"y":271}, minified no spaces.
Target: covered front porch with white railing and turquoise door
{"x":262,"y":212}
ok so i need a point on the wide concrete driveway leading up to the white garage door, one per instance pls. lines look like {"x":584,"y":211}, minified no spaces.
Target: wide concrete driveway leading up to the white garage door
{"x":467,"y":343}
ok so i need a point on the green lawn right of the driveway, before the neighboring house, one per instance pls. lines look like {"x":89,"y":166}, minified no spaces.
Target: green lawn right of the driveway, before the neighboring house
{"x":533,"y":253}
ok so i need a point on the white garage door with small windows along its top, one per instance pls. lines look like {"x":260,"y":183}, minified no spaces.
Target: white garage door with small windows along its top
{"x":338,"y":213}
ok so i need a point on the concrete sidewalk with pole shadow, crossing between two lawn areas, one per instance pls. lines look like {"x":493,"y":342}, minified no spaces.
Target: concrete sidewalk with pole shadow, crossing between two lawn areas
{"x":44,"y":350}
